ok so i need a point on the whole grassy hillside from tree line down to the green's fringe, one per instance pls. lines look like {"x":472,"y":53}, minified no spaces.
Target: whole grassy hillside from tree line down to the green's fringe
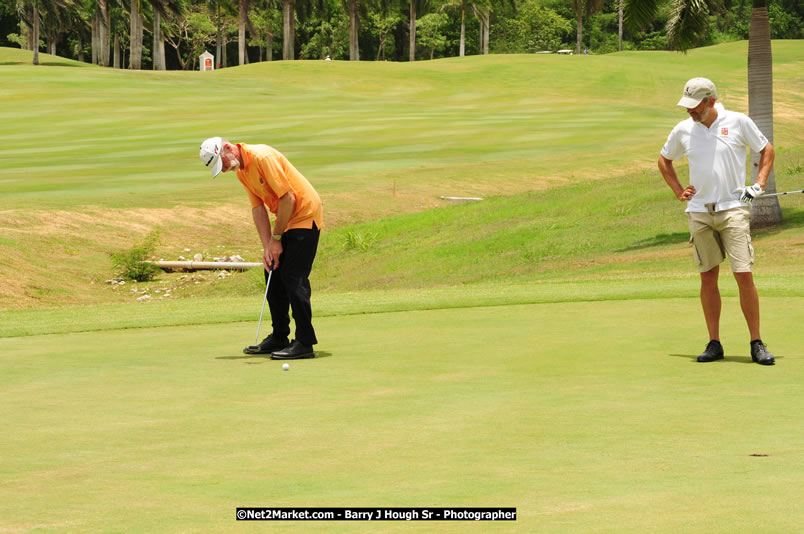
{"x":96,"y":158}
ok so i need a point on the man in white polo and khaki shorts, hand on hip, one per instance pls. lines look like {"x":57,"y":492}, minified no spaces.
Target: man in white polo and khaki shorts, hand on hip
{"x":714,"y":141}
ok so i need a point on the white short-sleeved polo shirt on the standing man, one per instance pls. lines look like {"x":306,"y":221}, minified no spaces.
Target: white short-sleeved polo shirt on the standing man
{"x":716,"y":156}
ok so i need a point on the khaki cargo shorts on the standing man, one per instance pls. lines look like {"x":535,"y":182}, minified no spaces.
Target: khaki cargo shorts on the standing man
{"x":715,"y":235}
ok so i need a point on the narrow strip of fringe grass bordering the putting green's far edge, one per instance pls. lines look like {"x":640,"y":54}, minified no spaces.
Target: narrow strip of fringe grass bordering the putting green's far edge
{"x":216,"y":310}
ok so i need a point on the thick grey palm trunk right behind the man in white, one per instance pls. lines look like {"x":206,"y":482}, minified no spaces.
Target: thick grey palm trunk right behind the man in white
{"x":765,"y":211}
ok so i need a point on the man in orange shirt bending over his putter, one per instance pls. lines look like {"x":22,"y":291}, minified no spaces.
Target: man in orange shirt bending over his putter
{"x":289,"y":248}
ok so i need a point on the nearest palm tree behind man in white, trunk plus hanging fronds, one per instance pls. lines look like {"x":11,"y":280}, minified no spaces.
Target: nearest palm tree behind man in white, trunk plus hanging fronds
{"x":685,"y":28}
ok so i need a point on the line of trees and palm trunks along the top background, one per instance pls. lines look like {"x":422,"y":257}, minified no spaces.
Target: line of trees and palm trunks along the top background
{"x":171,"y":34}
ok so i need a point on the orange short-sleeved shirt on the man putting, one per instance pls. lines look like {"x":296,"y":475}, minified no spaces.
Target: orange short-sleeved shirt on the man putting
{"x":267,"y":176}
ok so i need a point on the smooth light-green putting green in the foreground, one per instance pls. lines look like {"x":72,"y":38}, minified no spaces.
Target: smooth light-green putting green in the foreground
{"x":586,"y":416}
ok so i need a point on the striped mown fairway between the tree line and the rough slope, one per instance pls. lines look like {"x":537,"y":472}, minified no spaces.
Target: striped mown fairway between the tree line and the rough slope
{"x":101,"y":135}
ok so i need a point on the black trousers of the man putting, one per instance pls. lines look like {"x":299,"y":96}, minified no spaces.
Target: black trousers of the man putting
{"x":290,"y":285}
